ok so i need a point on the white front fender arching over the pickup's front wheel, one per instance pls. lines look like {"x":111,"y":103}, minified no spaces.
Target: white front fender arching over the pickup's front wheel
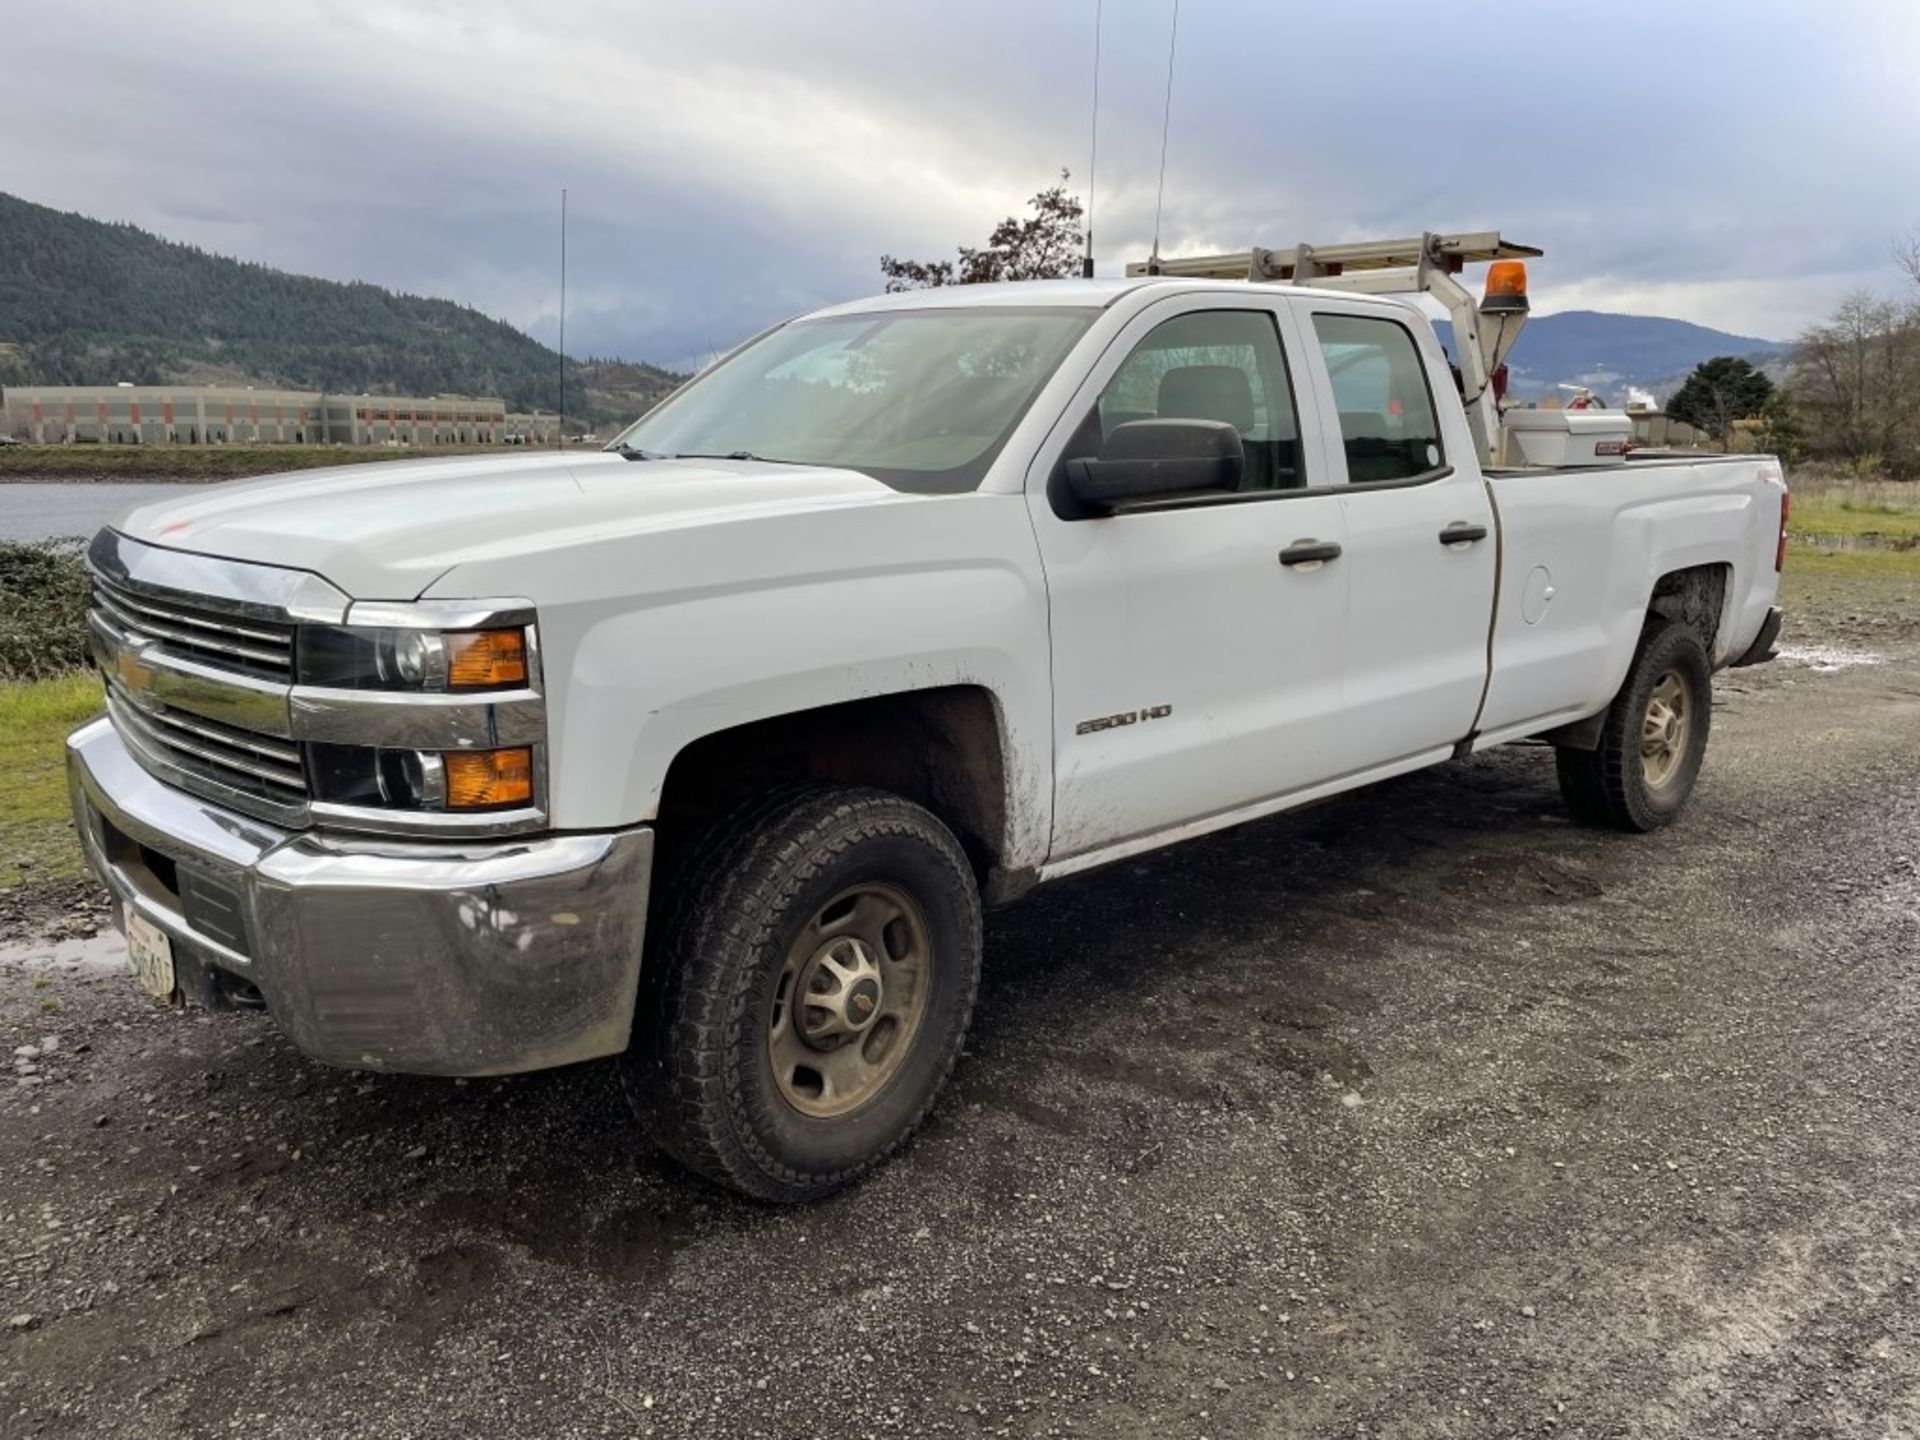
{"x":719,"y":627}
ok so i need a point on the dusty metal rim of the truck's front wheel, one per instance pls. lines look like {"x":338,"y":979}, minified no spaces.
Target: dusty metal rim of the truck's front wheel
{"x":850,"y":1001}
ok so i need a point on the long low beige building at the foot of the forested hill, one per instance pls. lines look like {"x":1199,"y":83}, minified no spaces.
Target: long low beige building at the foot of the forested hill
{"x":224,"y":416}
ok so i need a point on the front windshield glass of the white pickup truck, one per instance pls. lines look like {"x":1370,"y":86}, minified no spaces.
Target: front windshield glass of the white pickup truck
{"x":919,"y":400}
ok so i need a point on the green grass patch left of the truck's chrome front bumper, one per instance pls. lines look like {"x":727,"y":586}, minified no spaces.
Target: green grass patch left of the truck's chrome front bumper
{"x":36,"y":821}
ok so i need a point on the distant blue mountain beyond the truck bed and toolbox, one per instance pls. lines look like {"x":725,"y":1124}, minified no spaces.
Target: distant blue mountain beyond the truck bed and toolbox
{"x":1614,"y":354}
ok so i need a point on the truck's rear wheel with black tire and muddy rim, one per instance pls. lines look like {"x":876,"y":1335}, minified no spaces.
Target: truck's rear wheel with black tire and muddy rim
{"x":1652,"y":744}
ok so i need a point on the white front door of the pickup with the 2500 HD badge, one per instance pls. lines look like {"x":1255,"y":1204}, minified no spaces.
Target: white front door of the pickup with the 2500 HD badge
{"x":1195,"y":673}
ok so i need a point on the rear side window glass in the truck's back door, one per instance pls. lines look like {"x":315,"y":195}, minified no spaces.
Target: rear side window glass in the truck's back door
{"x":1380,"y":387}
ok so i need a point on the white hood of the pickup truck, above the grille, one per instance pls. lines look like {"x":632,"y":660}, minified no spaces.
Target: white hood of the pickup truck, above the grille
{"x":389,"y":531}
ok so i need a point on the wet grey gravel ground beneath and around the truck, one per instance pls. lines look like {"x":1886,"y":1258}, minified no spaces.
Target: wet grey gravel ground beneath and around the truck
{"x":1416,"y":1115}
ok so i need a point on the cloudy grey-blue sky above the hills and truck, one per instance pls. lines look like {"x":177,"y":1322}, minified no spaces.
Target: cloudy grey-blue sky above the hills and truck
{"x":731,"y":162}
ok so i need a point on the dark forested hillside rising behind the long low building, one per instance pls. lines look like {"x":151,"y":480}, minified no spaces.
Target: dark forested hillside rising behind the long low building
{"x":87,"y":302}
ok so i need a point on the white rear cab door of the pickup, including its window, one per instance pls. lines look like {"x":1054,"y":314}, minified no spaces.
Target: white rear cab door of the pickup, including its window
{"x":1422,"y":554}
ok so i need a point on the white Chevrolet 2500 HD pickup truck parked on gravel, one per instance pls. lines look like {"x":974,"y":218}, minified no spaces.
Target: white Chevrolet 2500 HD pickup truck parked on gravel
{"x":708,"y":750}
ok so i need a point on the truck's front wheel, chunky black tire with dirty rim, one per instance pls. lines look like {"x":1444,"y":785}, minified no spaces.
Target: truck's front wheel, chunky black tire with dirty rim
{"x":809,"y":994}
